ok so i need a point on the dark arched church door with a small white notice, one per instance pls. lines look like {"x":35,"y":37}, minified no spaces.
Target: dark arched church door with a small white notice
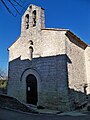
{"x":31,"y":89}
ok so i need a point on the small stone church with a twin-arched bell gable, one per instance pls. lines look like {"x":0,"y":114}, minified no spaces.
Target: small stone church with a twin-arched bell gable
{"x":48,"y":67}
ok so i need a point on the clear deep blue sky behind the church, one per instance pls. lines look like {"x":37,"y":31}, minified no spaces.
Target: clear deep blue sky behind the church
{"x":68,"y":14}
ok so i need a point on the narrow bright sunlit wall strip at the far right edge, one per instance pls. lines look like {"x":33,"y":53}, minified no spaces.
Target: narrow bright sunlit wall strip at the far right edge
{"x":87,"y":61}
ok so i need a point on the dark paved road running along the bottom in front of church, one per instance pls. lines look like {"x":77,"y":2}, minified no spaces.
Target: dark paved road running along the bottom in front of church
{"x":13,"y":115}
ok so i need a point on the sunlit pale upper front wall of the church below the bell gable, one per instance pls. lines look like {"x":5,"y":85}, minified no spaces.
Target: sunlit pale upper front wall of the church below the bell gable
{"x":45,"y":43}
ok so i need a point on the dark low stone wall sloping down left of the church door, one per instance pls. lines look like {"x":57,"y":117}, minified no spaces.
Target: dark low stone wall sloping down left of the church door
{"x":13,"y":103}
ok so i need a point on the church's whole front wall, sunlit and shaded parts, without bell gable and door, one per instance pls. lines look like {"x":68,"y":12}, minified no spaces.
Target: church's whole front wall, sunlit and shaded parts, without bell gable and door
{"x":50,"y":65}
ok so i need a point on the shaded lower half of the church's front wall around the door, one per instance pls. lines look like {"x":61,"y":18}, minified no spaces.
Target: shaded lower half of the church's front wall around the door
{"x":52,"y":86}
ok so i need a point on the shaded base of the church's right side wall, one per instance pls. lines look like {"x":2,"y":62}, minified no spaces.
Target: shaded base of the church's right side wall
{"x":78,"y":100}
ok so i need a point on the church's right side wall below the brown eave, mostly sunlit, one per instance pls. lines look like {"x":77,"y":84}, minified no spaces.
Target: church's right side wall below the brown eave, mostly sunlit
{"x":76,"y":71}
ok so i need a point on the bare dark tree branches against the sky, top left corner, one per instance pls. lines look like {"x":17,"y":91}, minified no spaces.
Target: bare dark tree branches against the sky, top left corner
{"x":15,"y":7}
